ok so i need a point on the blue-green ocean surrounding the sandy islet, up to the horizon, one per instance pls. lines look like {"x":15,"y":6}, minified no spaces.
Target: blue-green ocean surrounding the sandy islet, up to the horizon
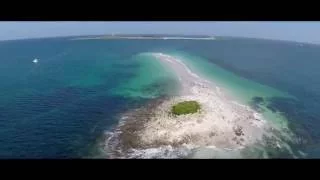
{"x":62,"y":106}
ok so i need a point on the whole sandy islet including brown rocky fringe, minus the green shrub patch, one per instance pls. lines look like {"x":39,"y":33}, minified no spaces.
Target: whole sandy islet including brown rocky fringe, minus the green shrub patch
{"x":222,"y":123}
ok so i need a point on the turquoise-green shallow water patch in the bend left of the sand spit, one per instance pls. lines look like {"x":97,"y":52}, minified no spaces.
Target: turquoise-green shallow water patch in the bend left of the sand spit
{"x":151,"y":73}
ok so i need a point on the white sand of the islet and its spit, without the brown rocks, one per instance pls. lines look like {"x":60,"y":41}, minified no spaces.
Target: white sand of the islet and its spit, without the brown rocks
{"x":221,"y":123}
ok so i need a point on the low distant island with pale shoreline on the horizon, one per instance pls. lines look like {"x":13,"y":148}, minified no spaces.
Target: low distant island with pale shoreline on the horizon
{"x":146,"y":36}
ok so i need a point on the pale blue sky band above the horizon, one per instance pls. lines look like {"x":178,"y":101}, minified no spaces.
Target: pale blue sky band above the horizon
{"x":294,"y":31}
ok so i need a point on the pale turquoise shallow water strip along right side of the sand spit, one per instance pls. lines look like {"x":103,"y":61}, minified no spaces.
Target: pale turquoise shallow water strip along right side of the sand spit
{"x":242,"y":89}
